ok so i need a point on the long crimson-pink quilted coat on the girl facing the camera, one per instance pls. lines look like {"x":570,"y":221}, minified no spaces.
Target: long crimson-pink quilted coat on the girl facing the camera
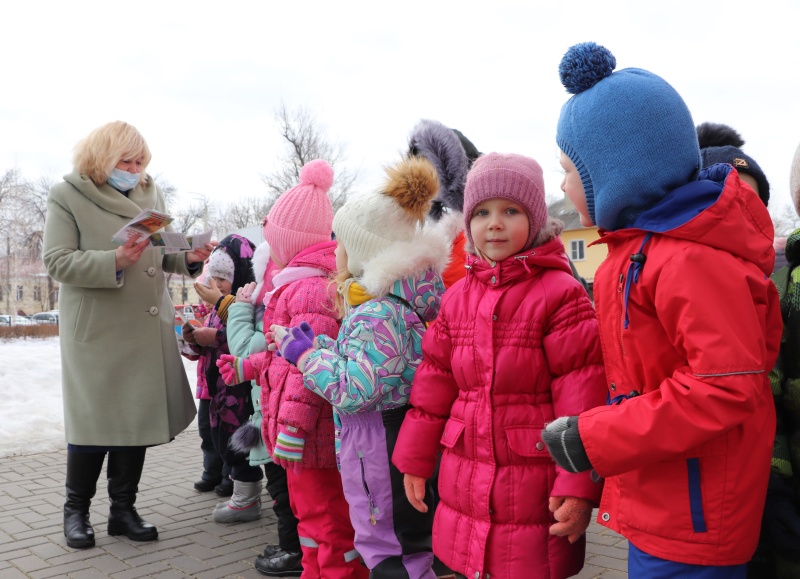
{"x":513,"y":347}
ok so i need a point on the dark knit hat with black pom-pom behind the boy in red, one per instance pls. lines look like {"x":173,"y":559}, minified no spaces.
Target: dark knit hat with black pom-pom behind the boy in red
{"x":720,"y":144}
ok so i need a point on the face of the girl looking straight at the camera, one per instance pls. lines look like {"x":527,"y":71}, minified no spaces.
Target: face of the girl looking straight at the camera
{"x":499,"y":228}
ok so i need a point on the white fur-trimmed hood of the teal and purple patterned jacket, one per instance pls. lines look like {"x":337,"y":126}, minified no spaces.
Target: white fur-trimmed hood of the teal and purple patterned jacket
{"x":428,"y":251}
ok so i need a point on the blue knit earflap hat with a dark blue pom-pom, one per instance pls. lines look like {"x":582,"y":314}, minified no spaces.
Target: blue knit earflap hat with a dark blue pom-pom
{"x":629,"y":134}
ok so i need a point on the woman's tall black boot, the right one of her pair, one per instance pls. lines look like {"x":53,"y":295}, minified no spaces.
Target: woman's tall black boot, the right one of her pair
{"x":124,"y":472}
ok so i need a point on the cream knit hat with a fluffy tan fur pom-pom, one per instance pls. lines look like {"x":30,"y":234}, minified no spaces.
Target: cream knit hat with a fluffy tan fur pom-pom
{"x":370,"y":224}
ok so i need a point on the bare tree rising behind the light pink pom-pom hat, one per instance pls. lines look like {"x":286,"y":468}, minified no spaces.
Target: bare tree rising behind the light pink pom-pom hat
{"x":305,"y":141}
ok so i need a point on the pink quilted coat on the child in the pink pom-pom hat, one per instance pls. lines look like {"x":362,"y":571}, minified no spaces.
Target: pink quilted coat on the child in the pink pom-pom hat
{"x":284,"y":399}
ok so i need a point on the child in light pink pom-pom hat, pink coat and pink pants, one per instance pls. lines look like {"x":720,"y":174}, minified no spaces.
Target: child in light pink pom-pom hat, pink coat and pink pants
{"x":297,"y":424}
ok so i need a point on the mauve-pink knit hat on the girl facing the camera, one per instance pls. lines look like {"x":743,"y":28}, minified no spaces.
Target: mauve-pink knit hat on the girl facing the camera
{"x":497,"y":176}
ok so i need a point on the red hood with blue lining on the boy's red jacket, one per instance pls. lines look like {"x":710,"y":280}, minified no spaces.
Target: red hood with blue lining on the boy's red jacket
{"x":718,"y":210}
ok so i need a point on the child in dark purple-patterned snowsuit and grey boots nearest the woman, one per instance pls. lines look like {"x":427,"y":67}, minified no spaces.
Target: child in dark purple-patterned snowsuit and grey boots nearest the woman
{"x":229,"y":268}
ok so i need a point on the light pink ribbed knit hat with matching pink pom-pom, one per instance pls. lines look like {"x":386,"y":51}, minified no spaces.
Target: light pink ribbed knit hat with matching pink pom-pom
{"x":302,"y":216}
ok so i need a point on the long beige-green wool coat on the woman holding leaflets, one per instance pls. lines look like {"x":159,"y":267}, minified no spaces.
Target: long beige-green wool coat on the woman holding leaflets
{"x":123,"y":379}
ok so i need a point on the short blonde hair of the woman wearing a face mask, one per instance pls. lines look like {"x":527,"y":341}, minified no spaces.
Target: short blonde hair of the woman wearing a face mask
{"x":98,"y":154}
